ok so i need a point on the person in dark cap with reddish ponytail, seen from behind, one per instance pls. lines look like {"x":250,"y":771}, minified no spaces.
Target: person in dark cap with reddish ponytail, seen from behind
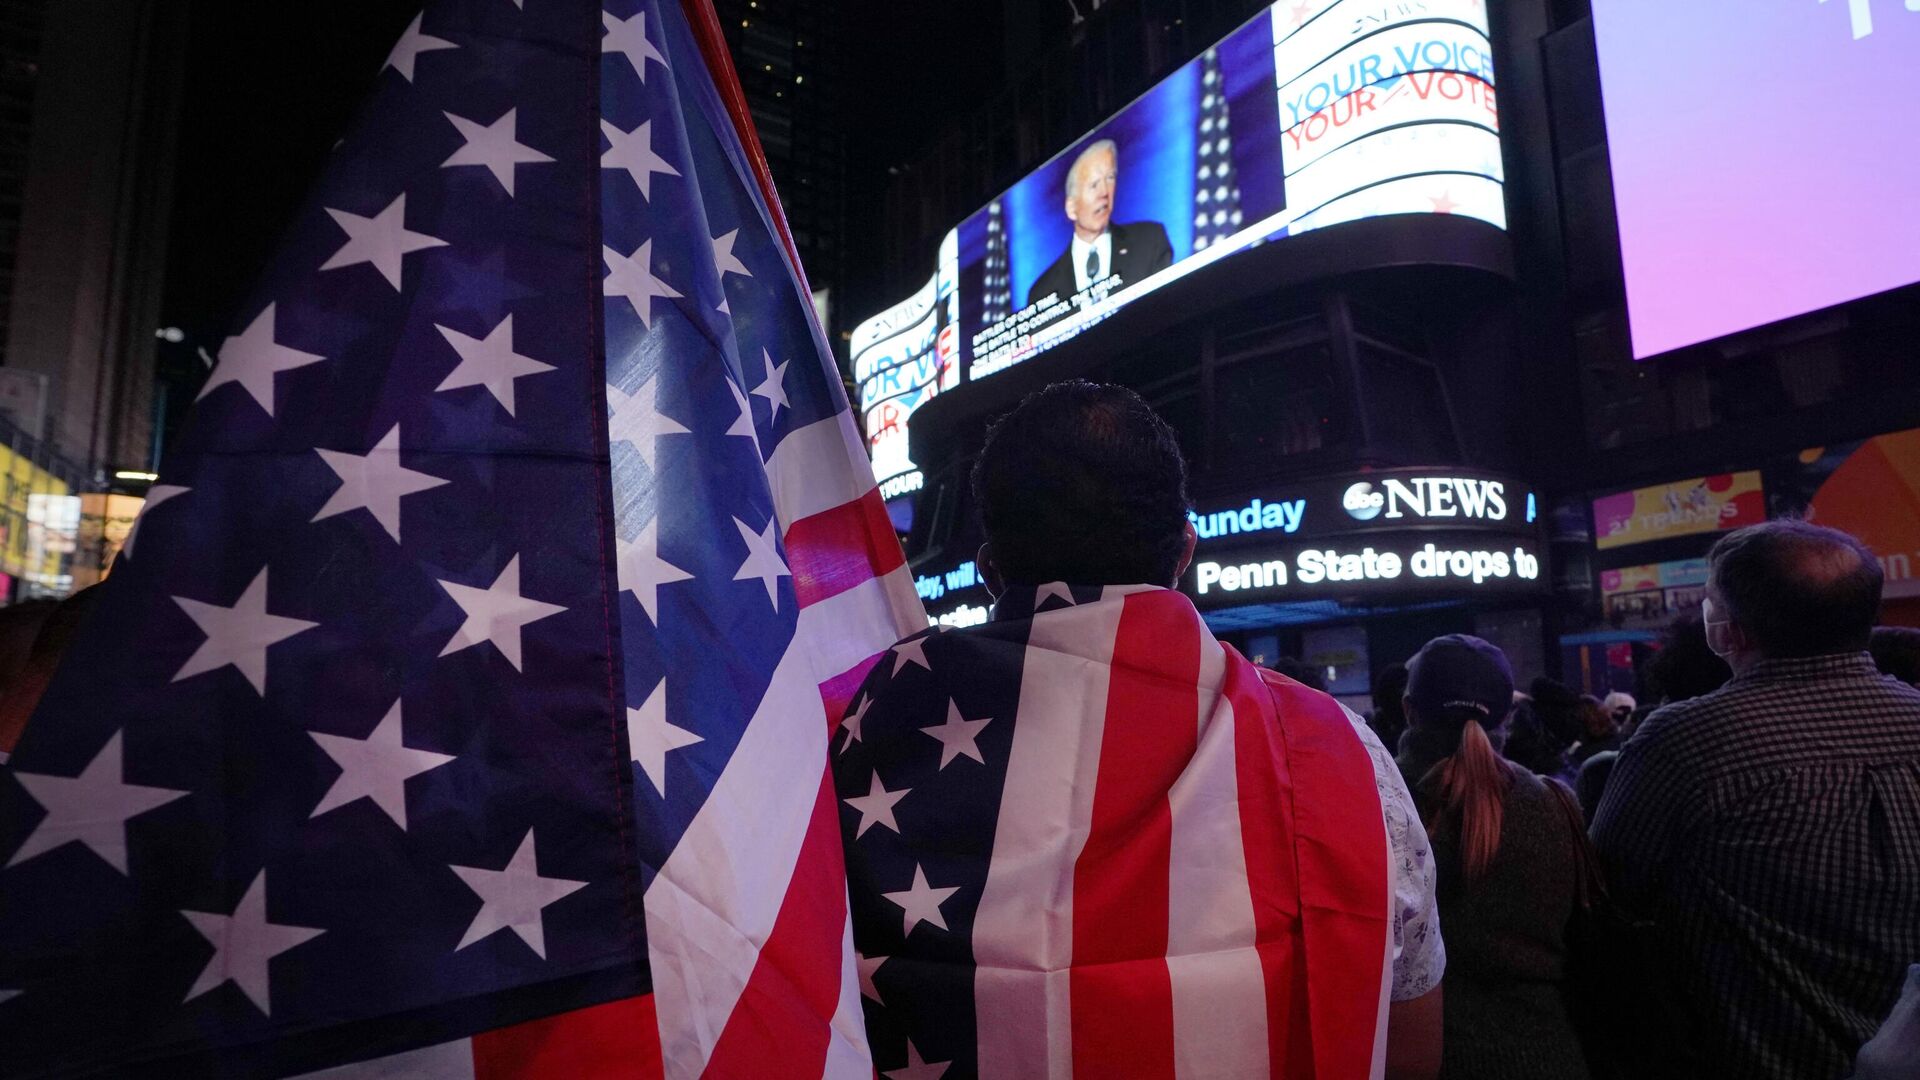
{"x":1508,"y":870}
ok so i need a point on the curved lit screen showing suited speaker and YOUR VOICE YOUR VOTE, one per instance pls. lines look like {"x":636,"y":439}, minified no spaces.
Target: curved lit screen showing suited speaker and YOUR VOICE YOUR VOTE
{"x":1308,"y":116}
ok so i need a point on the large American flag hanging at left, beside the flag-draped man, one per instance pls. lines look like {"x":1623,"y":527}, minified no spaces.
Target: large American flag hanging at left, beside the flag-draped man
{"x":462,"y":702}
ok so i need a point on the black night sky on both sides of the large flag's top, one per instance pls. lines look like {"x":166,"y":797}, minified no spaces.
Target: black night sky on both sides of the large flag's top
{"x":270,"y":87}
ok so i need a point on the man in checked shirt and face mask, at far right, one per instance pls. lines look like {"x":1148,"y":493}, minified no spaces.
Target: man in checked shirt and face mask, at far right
{"x":1769,"y":831}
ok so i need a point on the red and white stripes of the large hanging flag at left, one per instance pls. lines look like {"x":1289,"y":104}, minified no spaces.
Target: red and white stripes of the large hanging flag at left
{"x":748,"y":921}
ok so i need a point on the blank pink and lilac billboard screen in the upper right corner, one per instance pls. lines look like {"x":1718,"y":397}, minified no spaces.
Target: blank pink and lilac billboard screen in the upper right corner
{"x":1764,"y":159}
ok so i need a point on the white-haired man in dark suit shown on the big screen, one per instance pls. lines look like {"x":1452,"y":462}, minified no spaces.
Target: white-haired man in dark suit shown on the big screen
{"x":1101,"y":247}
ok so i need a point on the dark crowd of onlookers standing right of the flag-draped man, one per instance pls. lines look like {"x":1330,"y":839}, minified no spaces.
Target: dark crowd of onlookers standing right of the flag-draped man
{"x":1725,"y":883}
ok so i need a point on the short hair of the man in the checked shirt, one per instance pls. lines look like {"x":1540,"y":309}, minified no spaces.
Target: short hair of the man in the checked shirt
{"x":1798,"y":589}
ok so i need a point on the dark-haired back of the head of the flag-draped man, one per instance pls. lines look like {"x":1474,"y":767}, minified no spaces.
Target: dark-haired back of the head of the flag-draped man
{"x":1084,"y":483}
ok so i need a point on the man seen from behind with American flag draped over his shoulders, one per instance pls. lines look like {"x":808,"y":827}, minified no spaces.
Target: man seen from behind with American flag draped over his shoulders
{"x":1090,"y":841}
